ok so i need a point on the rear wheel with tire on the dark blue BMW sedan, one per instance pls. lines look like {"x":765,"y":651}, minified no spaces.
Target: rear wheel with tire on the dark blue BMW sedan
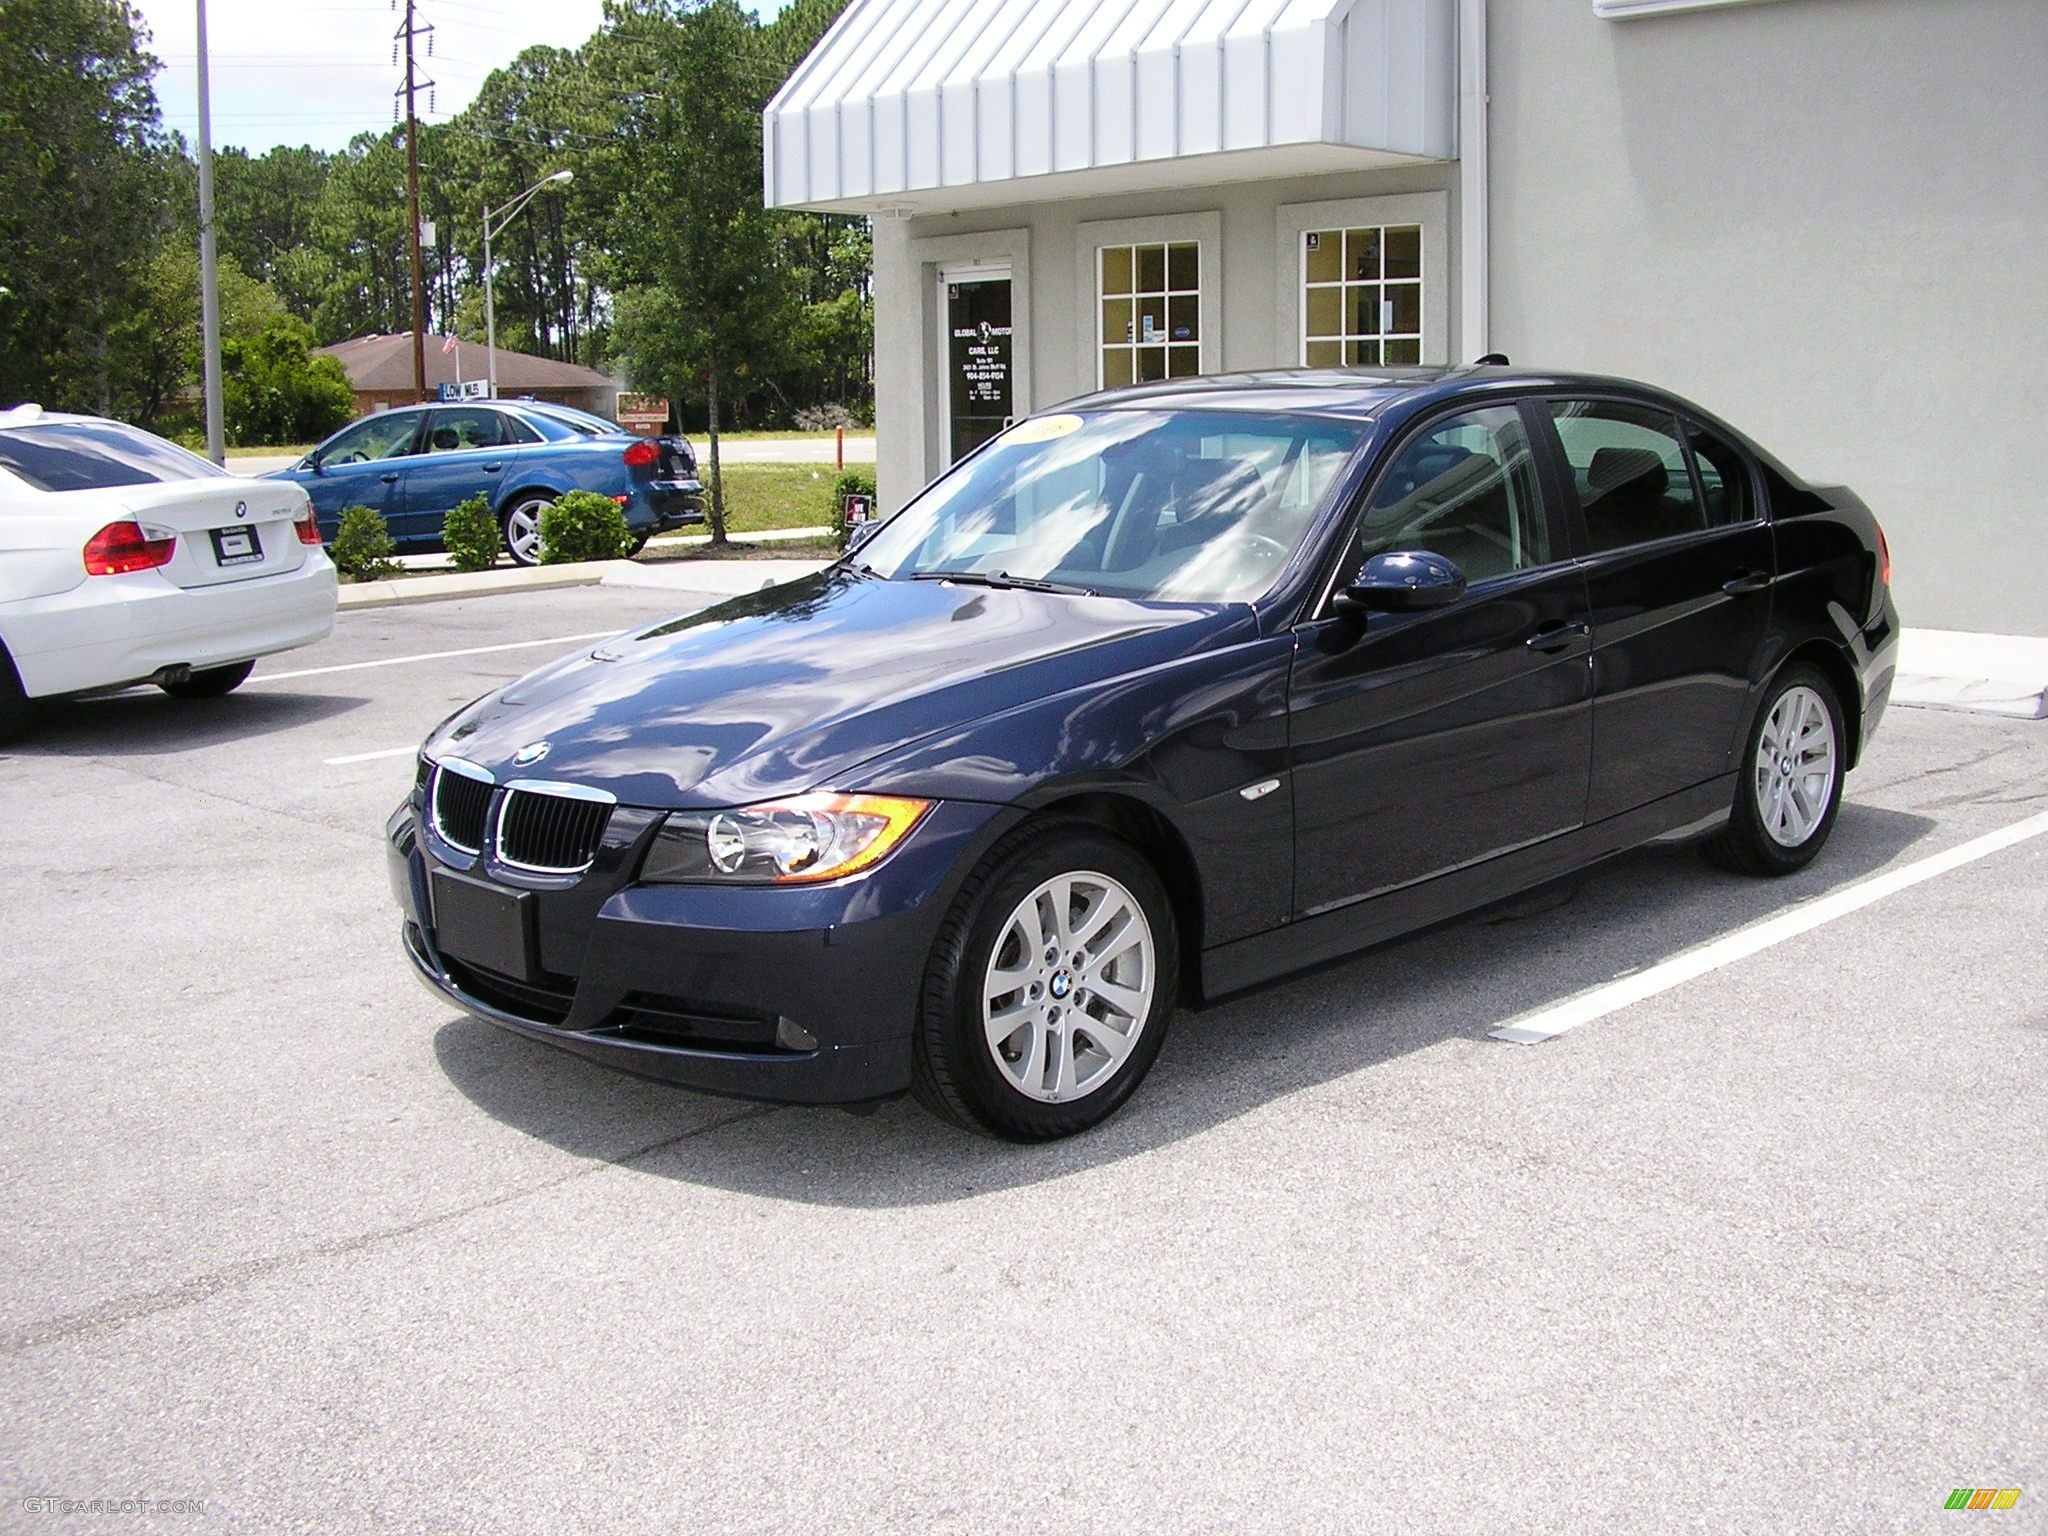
{"x":1791,"y":779}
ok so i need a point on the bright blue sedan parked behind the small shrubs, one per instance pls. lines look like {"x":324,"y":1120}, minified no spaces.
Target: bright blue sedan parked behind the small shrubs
{"x":419,"y":462}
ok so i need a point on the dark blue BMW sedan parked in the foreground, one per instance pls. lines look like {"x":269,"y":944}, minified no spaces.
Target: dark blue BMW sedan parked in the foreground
{"x":1152,"y":699}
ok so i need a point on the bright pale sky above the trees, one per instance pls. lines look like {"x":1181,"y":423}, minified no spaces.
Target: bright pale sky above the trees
{"x":321,"y":71}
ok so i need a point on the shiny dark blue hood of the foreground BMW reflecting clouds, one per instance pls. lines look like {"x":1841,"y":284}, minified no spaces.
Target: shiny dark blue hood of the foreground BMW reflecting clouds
{"x":794,"y":687}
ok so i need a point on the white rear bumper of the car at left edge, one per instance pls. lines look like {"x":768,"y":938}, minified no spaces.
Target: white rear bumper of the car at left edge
{"x":118,"y":630}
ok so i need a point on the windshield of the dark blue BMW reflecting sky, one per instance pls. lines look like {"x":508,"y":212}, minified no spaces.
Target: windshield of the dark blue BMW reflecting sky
{"x":1191,"y":507}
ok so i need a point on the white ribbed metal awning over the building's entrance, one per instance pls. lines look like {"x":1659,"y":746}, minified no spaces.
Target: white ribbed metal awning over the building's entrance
{"x":935,"y":105}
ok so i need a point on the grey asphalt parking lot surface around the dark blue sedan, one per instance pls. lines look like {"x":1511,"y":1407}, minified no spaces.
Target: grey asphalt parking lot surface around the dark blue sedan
{"x":288,"y":1236}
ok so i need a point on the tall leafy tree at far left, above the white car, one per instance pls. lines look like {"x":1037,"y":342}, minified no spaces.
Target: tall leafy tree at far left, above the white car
{"x":83,"y":157}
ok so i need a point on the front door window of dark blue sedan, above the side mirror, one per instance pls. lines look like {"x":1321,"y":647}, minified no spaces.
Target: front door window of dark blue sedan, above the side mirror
{"x":1465,"y":490}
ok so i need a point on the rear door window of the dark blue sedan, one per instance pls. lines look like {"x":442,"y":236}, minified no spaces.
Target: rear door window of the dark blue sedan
{"x":1631,"y":472}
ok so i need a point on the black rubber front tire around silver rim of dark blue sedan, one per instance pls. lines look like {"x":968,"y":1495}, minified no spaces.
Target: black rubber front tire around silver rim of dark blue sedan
{"x":955,"y":1068}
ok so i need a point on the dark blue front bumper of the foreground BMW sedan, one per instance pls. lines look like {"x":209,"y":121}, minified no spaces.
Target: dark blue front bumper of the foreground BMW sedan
{"x":710,"y":986}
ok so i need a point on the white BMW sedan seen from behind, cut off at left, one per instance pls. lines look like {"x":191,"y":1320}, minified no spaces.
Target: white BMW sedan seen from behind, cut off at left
{"x":126,"y":560}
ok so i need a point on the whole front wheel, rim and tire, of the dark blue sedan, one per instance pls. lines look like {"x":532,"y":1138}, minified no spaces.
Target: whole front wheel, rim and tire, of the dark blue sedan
{"x":1052,"y":988}
